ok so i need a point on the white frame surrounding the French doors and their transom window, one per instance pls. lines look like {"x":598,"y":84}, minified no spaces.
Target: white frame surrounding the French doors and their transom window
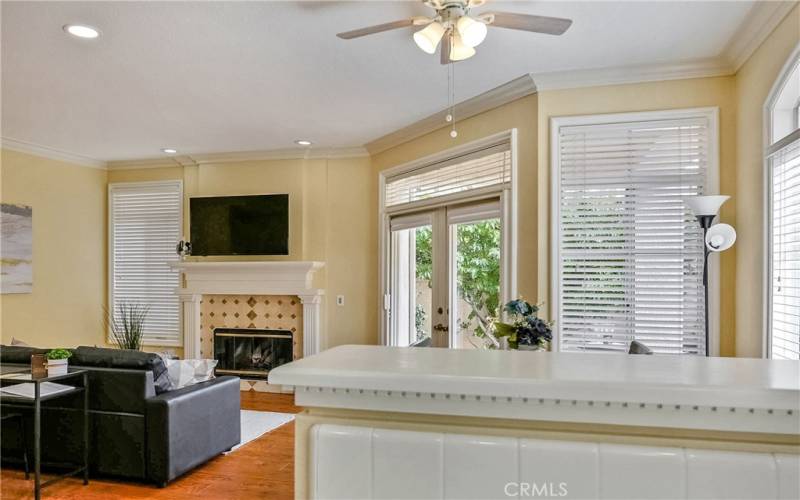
{"x":508,"y":199}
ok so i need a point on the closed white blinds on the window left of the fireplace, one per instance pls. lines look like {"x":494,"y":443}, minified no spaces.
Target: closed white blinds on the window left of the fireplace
{"x":145,"y":226}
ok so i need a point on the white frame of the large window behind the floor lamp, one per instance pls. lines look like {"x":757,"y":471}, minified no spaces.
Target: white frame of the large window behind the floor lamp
{"x":712,"y":187}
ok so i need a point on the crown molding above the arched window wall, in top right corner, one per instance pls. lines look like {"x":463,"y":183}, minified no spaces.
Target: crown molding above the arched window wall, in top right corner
{"x":762,"y":19}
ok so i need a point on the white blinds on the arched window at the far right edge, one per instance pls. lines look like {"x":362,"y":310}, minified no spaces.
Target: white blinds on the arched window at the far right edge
{"x":785,"y":259}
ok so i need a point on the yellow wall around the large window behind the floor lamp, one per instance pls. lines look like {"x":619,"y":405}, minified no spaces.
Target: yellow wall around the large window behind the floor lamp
{"x":693,"y":93}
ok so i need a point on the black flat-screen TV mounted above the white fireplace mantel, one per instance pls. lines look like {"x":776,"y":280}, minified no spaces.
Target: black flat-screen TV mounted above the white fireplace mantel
{"x":240,"y":225}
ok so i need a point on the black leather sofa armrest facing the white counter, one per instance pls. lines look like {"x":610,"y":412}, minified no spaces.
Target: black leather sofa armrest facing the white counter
{"x":189,"y":426}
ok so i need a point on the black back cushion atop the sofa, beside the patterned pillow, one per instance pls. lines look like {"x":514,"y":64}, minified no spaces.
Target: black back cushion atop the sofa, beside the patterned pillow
{"x":124,"y":358}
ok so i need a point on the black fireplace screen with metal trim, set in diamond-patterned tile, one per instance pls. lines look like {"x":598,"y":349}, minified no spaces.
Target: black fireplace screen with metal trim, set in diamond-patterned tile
{"x":251,"y":353}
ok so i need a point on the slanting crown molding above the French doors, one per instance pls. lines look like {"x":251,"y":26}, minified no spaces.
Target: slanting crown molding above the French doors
{"x":511,"y":91}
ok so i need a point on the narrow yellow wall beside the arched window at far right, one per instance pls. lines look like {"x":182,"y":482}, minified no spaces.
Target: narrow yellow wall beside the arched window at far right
{"x":753,"y":82}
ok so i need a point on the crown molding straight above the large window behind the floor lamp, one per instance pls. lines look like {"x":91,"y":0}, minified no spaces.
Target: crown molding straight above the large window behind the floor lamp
{"x":620,"y":75}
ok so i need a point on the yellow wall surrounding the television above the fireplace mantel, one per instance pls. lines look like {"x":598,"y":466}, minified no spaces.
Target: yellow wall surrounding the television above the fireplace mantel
{"x":329,"y":207}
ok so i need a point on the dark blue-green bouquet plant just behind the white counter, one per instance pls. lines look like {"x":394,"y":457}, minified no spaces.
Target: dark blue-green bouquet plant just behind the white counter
{"x":525,"y":330}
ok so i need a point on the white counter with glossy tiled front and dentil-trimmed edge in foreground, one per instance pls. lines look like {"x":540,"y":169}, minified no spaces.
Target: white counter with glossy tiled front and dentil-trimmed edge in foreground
{"x":385,"y":422}
